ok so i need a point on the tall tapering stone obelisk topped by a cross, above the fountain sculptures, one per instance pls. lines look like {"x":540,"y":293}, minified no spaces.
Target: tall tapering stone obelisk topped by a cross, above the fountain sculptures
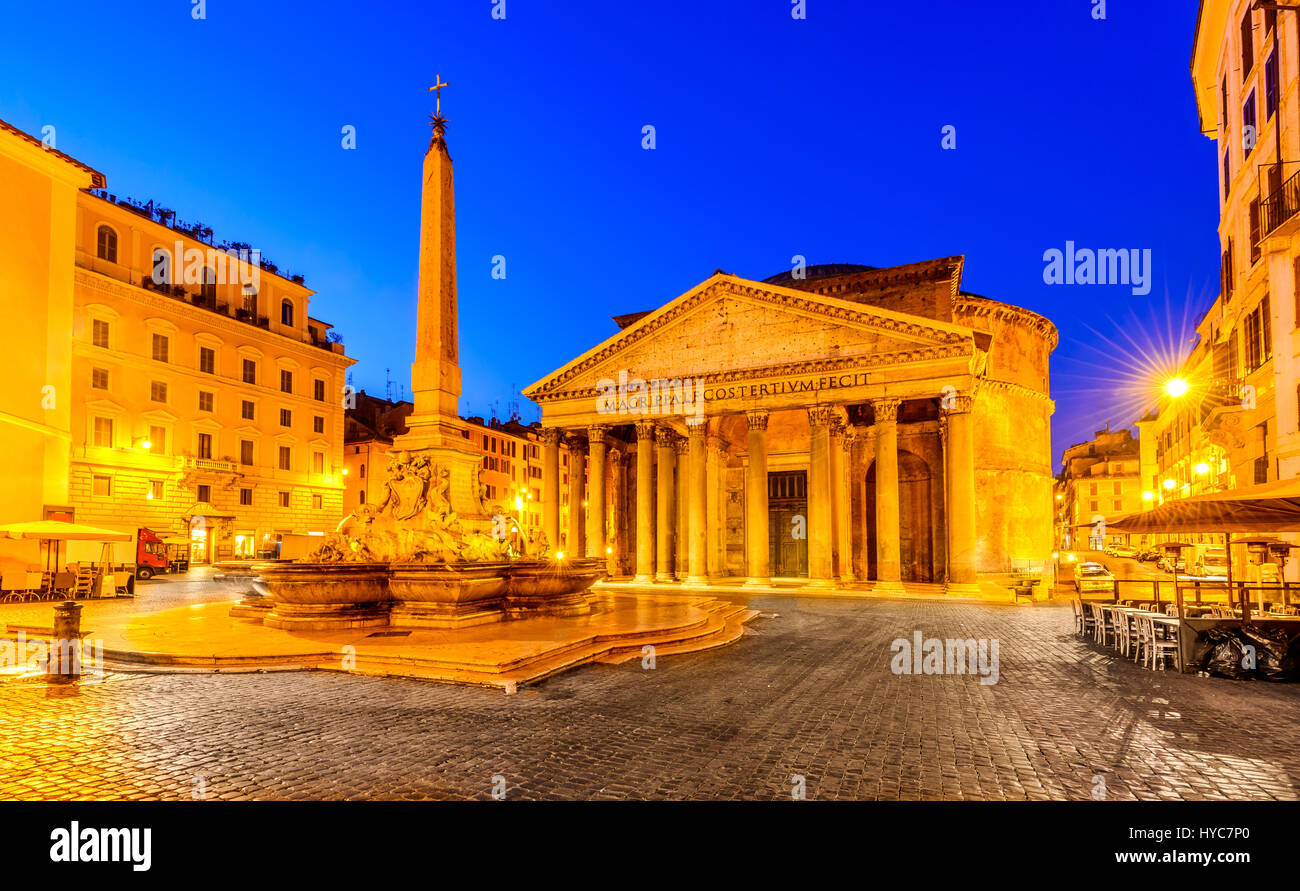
{"x":435,"y":425}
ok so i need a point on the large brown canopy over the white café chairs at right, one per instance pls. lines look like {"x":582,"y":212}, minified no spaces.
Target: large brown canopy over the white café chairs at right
{"x":1267,"y":508}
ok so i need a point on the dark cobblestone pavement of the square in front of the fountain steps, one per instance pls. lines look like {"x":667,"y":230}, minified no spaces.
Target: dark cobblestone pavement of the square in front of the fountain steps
{"x":808,"y":693}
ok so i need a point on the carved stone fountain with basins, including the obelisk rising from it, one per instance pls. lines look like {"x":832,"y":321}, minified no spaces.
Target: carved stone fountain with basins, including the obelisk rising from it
{"x":431,"y":553}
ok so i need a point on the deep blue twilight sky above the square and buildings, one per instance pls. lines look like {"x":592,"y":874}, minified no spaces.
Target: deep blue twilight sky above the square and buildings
{"x":775,"y":137}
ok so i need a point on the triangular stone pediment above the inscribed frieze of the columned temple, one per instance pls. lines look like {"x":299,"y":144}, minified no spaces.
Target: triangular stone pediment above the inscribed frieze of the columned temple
{"x":730,"y":326}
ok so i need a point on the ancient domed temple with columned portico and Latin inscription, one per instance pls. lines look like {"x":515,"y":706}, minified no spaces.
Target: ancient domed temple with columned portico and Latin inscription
{"x":830,"y":426}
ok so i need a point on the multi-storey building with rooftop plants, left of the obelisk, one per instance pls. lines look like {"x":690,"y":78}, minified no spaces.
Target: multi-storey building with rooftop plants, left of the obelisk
{"x":201,"y":397}
